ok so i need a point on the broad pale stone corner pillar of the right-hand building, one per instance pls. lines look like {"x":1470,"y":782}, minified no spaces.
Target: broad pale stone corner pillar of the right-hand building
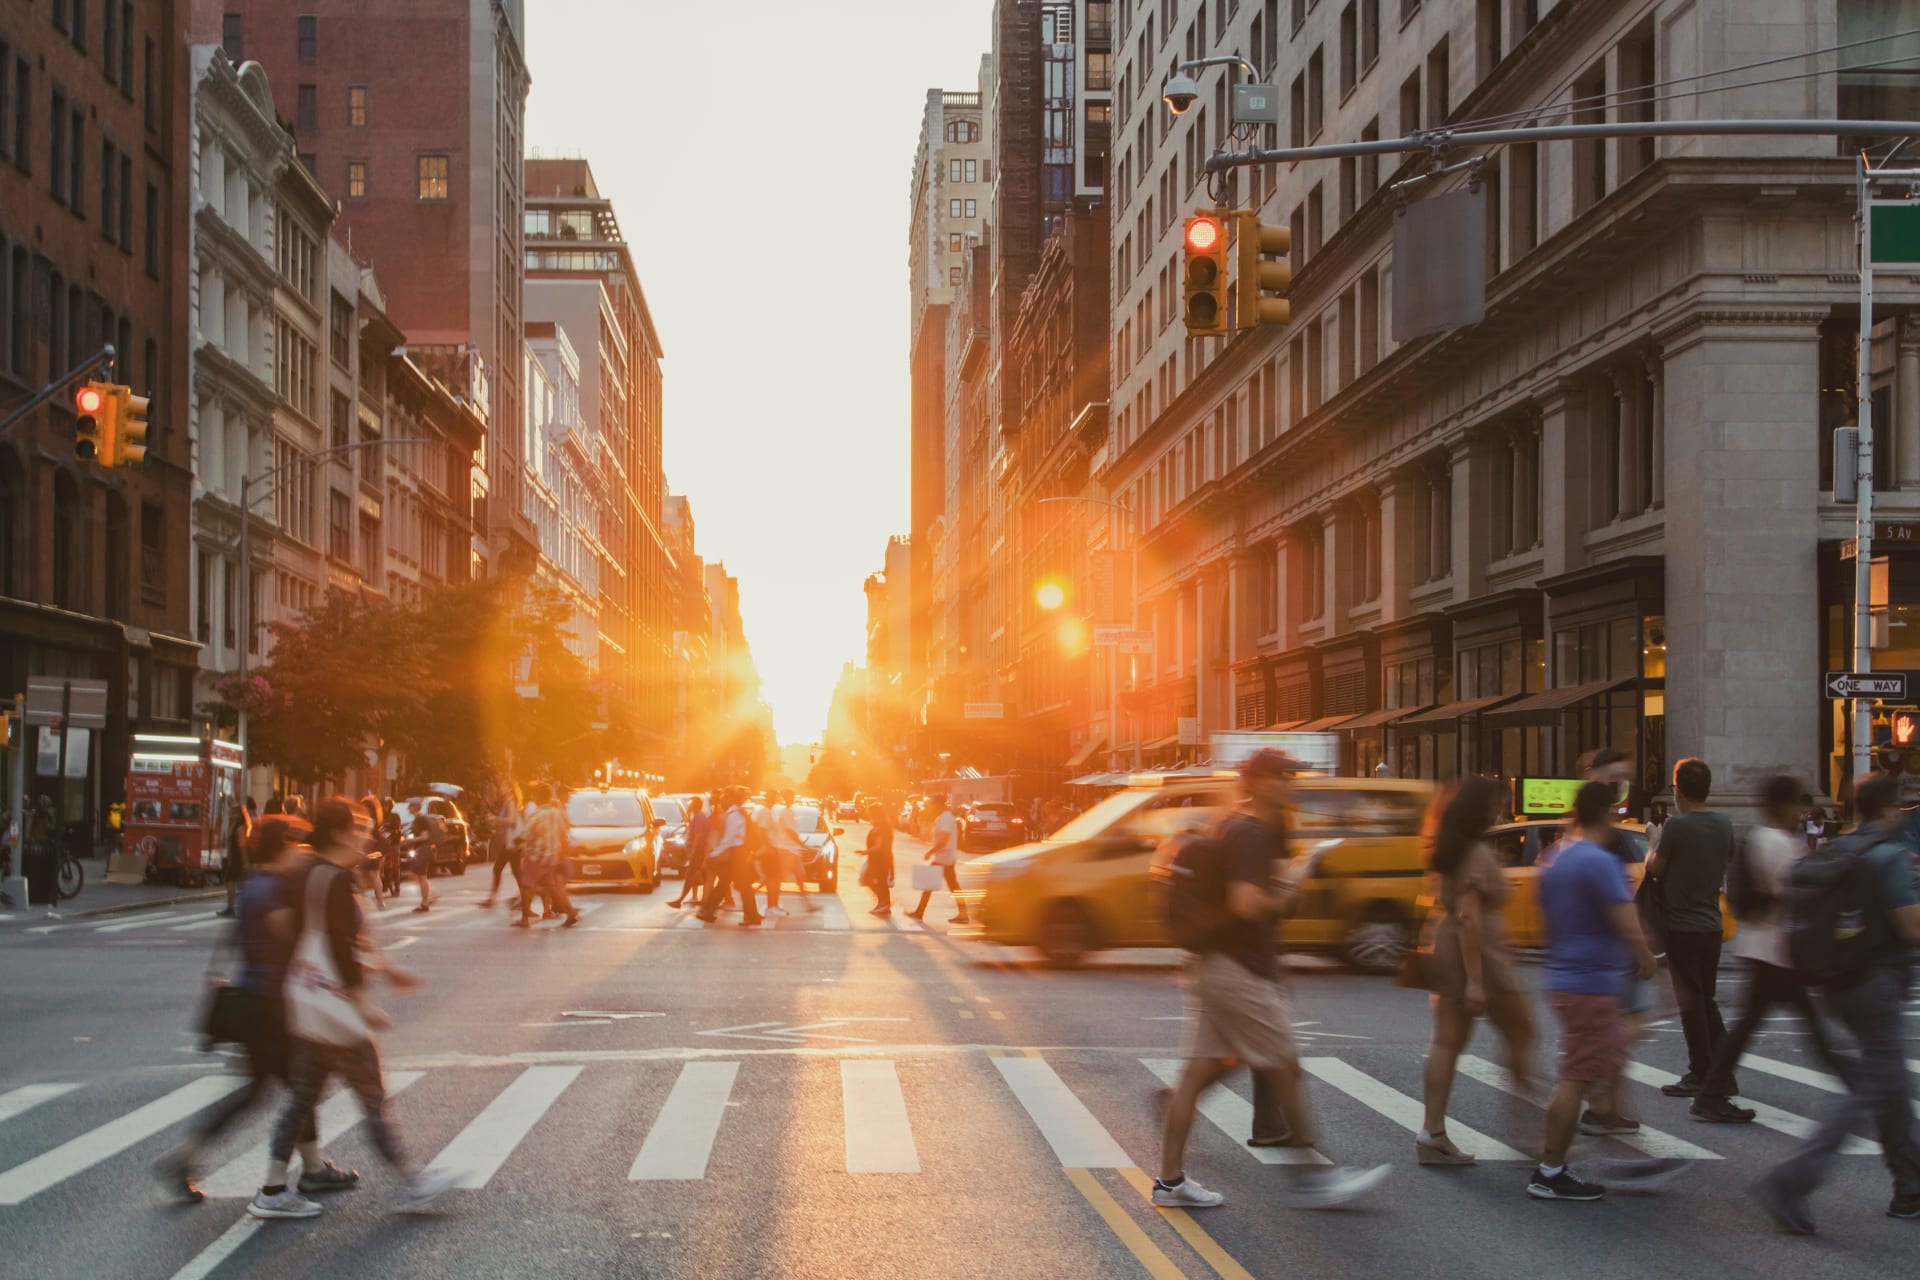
{"x":1740,"y":550}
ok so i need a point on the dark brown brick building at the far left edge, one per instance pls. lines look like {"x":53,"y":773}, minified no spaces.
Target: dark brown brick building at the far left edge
{"x":93,"y":220}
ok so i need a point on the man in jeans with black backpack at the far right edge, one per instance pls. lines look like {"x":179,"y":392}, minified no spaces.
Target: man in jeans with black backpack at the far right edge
{"x":1854,"y":922}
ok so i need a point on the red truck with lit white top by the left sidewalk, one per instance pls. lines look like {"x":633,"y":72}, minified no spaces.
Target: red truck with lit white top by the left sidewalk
{"x":180,"y":797}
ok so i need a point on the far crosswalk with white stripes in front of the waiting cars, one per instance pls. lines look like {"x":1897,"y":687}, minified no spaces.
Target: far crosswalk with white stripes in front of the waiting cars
{"x":462,"y":913}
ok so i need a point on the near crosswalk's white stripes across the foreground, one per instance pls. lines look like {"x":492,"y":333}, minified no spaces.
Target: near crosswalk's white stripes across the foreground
{"x":1070,"y":1110}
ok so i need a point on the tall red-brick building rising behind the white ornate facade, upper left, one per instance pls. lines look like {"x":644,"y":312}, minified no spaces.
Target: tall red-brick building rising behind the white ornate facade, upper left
{"x":412,"y":116}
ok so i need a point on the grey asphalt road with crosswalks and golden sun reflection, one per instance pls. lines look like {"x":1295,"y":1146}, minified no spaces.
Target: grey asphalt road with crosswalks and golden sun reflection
{"x":827,"y":1097}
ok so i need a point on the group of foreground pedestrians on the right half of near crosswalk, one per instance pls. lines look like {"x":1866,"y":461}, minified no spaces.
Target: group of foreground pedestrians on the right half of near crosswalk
{"x":1827,"y":930}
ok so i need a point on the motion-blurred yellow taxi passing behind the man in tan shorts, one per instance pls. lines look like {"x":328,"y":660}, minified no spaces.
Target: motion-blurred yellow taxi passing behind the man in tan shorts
{"x":1090,"y":886}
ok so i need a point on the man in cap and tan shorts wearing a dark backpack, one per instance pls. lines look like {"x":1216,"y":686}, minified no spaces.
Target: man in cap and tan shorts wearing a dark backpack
{"x":1226,"y":895}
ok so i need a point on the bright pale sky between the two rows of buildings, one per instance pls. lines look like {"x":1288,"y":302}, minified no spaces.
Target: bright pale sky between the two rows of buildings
{"x":761,"y":172}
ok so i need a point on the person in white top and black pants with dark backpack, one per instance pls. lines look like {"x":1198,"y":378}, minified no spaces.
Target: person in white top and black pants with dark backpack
{"x":1756,"y":889}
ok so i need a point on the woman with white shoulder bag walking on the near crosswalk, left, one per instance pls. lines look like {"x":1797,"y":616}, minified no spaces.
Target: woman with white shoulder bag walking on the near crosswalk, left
{"x":331,"y":1018}
